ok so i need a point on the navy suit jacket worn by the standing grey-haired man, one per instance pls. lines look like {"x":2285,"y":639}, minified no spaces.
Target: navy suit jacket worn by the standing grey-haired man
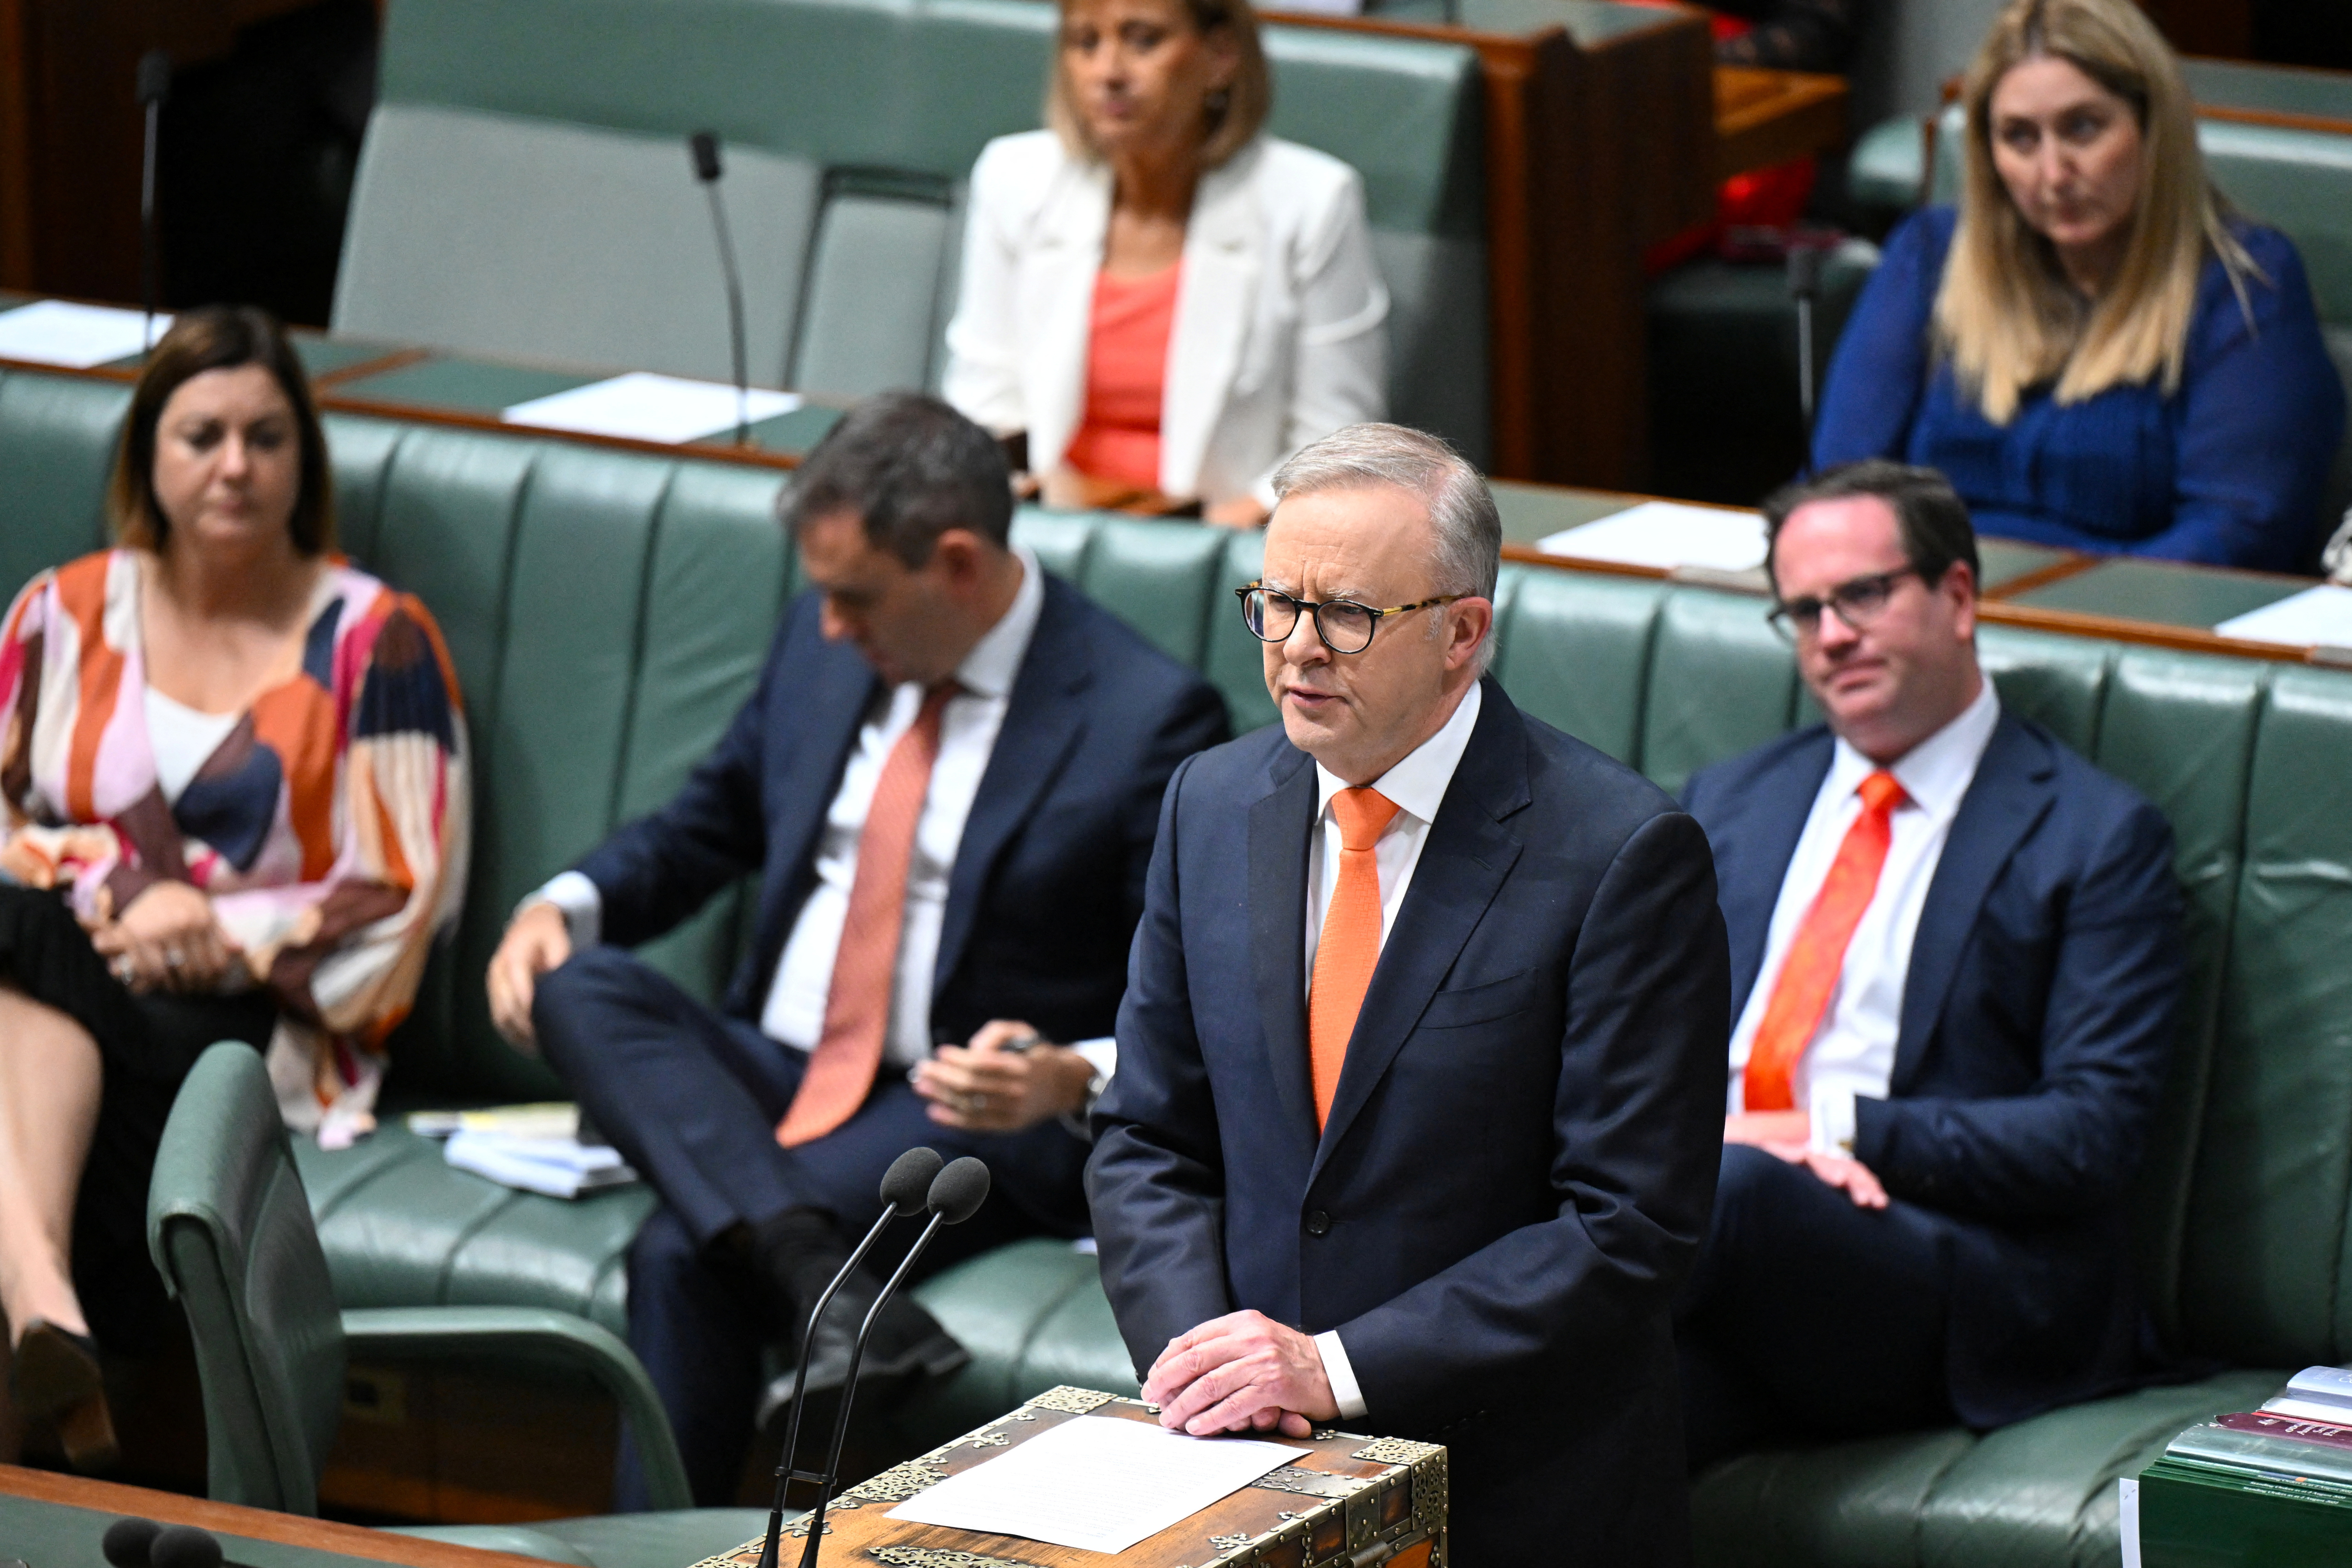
{"x":1523,"y":1144}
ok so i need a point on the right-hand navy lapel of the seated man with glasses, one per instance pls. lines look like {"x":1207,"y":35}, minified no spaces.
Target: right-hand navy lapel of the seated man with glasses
{"x":2003,"y":805}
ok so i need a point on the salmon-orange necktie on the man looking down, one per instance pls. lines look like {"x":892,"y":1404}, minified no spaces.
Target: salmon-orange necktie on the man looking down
{"x":857,"y":1005}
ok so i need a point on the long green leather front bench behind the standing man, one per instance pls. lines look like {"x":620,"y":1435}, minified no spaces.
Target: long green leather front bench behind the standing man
{"x":608,"y":612}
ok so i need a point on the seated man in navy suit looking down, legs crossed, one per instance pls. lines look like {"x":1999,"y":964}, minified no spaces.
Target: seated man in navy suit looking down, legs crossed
{"x":944,"y":796}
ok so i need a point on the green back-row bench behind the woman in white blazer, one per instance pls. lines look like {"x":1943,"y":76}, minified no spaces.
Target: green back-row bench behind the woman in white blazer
{"x":526,"y":187}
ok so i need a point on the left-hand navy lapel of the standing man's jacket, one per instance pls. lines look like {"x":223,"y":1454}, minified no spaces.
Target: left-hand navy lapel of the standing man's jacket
{"x":1278,"y":906}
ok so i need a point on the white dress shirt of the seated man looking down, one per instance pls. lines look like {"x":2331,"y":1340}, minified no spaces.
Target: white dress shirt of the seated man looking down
{"x":968,"y":737}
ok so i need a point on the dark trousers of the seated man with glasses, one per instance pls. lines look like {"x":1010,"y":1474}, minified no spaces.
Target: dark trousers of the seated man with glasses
{"x":1810,"y":1318}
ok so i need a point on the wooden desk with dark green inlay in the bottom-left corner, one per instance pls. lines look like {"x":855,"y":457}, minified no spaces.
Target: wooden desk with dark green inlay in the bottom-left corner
{"x":58,"y":1522}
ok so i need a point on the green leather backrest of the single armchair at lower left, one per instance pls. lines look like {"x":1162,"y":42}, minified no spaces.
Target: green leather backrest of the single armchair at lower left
{"x":232,"y":1233}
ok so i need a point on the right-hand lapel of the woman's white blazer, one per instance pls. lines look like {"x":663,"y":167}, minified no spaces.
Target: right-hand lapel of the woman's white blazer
{"x":1215,"y":304}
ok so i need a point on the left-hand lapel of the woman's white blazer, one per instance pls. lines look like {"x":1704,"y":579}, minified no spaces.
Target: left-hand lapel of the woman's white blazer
{"x":1057,"y":307}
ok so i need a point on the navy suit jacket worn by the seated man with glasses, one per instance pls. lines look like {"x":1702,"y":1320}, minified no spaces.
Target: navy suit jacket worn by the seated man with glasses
{"x":2038,"y":1019}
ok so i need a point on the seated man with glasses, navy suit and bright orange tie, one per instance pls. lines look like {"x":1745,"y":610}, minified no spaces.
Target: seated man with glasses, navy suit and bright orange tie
{"x":1956,"y":965}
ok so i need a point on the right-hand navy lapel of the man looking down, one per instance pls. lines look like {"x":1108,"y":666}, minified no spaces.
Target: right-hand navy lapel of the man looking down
{"x":1043,"y":723}
